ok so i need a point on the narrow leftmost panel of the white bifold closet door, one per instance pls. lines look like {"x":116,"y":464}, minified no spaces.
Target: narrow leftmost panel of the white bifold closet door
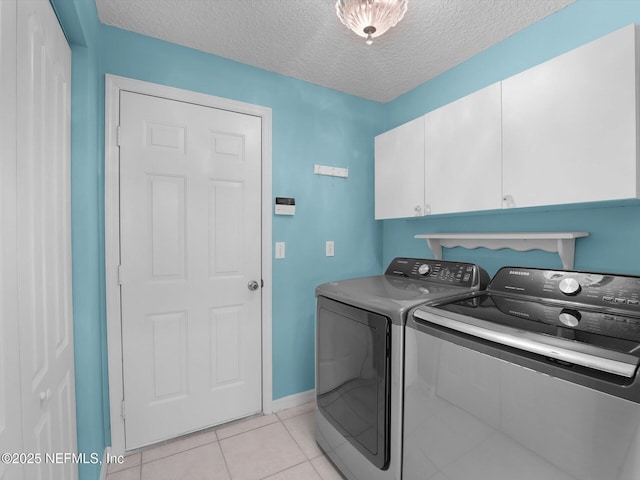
{"x":10,"y":425}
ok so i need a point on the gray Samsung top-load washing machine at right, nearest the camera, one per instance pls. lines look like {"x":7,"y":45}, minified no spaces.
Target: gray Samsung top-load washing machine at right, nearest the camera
{"x":535,"y":378}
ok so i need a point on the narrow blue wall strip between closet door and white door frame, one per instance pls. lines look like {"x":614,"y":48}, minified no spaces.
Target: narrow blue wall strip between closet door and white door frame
{"x":80,"y":24}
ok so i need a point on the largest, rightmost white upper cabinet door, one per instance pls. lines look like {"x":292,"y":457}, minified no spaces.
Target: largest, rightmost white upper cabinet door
{"x":569,"y":126}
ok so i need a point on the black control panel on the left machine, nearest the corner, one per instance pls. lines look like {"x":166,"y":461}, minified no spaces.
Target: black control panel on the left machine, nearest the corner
{"x":460,"y":274}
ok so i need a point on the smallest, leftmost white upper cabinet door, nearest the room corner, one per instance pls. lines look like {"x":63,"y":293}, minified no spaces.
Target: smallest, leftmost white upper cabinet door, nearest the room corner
{"x":399,"y":171}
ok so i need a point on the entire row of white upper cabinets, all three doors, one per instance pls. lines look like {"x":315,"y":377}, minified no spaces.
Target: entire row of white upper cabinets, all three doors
{"x":564,"y":131}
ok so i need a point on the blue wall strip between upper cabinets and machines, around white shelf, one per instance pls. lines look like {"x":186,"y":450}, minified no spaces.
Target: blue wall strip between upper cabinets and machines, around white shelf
{"x":611,"y":246}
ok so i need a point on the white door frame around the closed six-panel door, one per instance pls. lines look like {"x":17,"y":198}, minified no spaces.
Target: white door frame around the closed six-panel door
{"x":113,"y":86}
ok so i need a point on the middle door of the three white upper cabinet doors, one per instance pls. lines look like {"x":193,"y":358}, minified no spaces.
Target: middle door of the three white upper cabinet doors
{"x":463,"y":157}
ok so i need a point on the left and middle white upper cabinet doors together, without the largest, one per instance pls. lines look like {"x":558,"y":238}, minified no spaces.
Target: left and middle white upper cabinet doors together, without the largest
{"x":447,"y":161}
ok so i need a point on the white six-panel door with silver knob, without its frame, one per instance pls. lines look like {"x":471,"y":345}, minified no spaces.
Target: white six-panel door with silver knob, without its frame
{"x":190,"y":212}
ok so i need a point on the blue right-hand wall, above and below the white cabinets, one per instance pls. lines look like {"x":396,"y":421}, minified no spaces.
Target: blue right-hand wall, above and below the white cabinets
{"x":614,"y":227}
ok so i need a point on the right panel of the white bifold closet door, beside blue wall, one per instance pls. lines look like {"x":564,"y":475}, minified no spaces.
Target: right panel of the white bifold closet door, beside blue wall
{"x":43,"y":238}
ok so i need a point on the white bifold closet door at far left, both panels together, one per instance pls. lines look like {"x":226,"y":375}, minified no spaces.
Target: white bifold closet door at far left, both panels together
{"x":37,"y":396}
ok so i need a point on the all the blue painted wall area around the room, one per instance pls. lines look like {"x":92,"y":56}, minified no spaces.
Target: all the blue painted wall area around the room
{"x":311,"y":125}
